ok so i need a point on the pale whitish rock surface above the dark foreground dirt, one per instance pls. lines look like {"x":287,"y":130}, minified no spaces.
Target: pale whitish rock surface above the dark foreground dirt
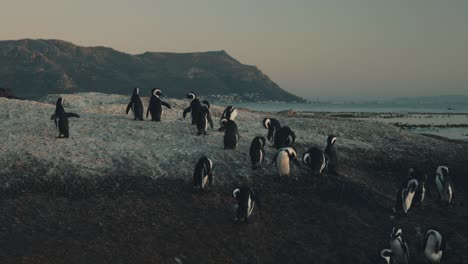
{"x":106,"y":141}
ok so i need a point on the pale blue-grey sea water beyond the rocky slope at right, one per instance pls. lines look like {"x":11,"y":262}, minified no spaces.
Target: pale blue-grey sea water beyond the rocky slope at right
{"x":412,"y":114}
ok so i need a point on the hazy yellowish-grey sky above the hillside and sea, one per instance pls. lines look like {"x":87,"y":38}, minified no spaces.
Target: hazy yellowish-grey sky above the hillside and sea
{"x":326,"y":48}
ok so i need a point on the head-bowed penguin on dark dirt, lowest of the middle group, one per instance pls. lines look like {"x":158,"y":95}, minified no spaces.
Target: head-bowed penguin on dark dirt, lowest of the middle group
{"x":246,"y":200}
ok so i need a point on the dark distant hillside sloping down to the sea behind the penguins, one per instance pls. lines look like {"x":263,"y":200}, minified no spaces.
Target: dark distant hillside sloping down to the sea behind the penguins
{"x":33,"y":68}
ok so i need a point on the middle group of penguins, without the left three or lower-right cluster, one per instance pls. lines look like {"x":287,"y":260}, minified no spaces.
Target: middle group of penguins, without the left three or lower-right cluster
{"x":281,"y":138}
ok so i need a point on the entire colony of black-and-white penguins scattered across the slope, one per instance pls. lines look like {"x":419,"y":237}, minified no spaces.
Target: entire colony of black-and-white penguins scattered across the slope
{"x":282,"y":138}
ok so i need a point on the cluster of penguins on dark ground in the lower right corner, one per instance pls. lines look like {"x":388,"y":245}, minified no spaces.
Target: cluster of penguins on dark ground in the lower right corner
{"x":413,"y":190}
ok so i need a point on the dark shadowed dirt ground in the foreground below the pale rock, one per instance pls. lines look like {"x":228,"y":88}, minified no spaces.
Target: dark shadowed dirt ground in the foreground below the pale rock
{"x":123,"y":219}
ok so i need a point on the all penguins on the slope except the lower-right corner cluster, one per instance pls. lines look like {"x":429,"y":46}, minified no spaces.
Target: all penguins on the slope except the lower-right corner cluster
{"x":280,"y":137}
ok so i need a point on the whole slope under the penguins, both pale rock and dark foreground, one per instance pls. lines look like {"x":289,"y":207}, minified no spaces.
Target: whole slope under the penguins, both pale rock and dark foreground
{"x":118,"y":191}
